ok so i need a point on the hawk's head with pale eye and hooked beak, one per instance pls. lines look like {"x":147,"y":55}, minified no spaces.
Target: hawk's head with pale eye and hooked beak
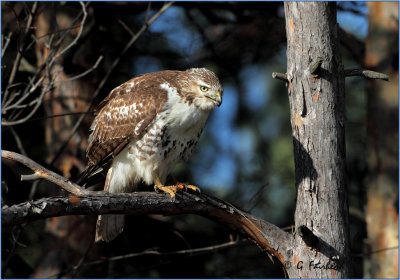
{"x":204,"y":88}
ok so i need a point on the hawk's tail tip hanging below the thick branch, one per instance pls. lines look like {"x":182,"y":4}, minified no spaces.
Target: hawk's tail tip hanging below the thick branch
{"x":109,"y":226}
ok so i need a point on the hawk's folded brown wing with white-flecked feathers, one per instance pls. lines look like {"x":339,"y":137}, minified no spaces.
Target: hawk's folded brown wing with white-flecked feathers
{"x":125,"y":114}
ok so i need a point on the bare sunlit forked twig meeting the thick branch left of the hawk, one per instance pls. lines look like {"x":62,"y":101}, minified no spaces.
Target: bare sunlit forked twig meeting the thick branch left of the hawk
{"x":43,"y":173}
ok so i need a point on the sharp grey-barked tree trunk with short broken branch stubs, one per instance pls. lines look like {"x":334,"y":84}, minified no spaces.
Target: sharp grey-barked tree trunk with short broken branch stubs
{"x":317,"y":108}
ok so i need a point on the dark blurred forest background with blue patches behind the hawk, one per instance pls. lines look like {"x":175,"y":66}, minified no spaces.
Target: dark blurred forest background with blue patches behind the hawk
{"x":245,"y":154}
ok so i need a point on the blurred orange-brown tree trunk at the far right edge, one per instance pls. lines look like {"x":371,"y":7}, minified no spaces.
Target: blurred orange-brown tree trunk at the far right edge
{"x":383,"y":104}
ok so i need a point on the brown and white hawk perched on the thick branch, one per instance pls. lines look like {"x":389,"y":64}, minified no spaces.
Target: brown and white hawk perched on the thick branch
{"x":143,"y":128}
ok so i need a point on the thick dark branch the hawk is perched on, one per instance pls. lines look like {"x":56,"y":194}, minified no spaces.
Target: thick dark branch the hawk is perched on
{"x":267,"y":236}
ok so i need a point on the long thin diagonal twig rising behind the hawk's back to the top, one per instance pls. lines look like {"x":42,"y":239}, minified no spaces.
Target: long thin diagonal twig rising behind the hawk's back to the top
{"x":110,"y":69}
